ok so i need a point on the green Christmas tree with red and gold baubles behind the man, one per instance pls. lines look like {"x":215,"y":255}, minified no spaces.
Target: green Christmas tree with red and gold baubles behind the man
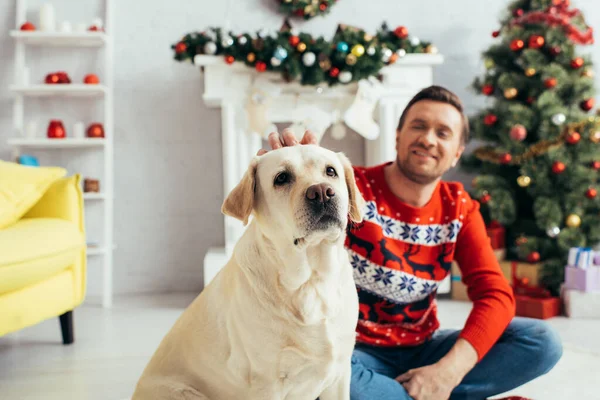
{"x":537,"y":170}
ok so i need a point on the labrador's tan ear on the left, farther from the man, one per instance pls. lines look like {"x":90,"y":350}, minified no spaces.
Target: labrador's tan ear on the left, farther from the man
{"x":240,"y":201}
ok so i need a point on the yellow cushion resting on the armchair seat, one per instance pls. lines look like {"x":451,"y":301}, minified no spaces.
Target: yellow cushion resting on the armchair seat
{"x":21,"y":187}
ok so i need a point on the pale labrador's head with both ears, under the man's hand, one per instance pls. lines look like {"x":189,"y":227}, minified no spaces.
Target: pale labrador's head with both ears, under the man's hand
{"x":298,"y":193}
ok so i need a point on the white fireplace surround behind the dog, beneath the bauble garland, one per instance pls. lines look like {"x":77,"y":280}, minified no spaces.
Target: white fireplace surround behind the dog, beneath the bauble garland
{"x":228,"y":87}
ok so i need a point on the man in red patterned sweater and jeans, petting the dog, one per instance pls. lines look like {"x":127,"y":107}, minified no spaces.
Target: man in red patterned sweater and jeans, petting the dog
{"x":415,"y":226}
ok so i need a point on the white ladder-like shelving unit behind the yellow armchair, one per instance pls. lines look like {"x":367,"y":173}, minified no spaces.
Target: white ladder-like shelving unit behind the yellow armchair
{"x":102,"y":92}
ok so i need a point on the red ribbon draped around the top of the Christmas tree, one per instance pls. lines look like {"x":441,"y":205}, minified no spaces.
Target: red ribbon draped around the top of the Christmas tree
{"x":559,"y":15}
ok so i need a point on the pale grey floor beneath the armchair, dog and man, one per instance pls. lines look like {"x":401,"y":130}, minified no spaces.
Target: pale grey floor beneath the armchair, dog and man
{"x":113,"y":346}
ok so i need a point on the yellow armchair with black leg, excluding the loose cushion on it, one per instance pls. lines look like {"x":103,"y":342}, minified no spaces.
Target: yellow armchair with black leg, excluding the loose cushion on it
{"x":43,"y":260}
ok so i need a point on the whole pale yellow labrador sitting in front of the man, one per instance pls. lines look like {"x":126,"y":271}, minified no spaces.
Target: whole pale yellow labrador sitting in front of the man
{"x":278,"y":321}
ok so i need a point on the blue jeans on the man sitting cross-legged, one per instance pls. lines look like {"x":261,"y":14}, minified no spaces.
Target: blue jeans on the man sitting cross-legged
{"x":527,"y":349}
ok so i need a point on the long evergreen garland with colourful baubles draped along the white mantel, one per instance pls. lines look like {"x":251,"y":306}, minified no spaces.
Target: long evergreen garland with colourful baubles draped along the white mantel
{"x":352,"y":55}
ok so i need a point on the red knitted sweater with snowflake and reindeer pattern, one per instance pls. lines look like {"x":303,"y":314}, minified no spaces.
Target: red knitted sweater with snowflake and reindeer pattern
{"x":401,"y":254}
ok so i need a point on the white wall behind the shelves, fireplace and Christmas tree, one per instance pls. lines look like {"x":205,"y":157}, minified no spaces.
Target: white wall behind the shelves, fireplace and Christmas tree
{"x":168,"y":155}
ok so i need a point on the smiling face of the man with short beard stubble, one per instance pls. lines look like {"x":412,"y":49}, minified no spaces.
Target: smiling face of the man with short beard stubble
{"x":429,"y":143}
